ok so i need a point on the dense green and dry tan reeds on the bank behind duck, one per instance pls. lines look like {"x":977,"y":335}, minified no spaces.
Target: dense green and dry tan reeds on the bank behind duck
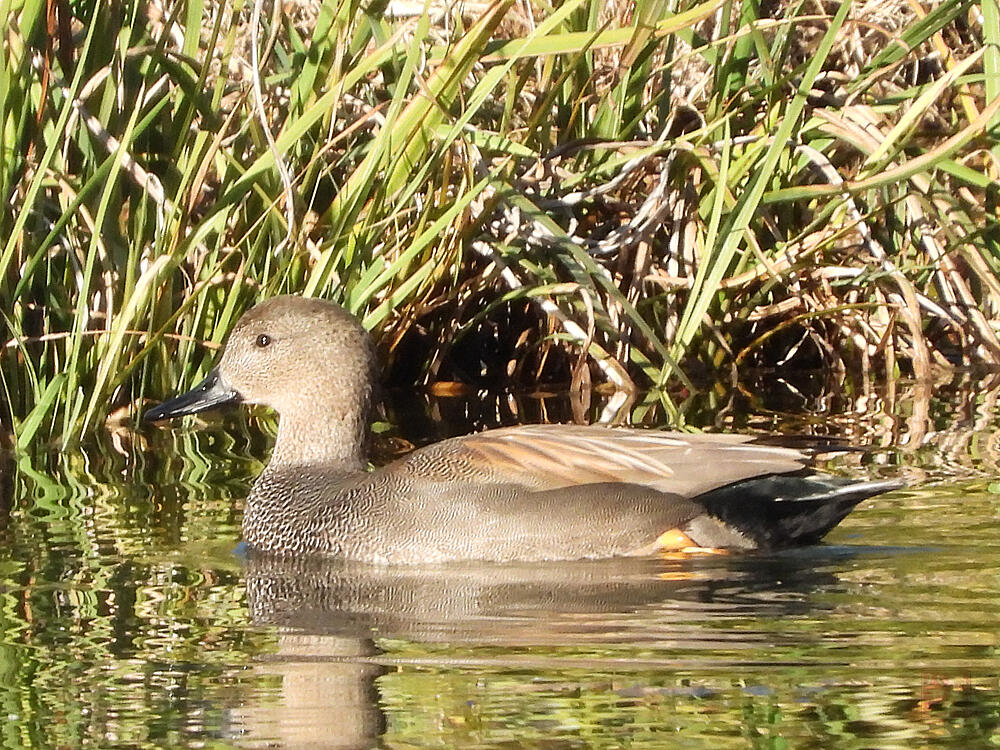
{"x":507,"y":194}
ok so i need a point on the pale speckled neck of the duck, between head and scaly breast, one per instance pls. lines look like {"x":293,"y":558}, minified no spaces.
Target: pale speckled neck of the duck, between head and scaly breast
{"x":337,"y":442}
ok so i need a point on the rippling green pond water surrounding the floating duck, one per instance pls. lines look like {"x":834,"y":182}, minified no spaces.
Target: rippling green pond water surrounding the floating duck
{"x":126,"y":619}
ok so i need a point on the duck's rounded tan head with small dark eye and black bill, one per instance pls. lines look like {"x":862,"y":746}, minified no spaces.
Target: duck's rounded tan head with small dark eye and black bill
{"x":304,"y":358}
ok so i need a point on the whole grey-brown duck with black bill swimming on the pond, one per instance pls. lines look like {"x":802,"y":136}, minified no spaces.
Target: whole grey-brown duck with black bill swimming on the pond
{"x":540,"y":492}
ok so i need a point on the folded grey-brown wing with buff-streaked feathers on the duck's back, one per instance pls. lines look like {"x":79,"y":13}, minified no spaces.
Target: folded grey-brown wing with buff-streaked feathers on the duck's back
{"x":548,"y":457}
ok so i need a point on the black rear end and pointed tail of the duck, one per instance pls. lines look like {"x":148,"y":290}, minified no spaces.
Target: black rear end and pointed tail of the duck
{"x":787,"y":510}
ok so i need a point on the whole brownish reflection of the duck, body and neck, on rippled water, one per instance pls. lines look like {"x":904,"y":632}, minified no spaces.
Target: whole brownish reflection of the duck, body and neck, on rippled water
{"x":331,"y":615}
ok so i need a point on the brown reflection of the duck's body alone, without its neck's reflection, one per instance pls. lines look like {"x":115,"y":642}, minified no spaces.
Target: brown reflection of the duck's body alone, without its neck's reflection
{"x":464,"y":599}
